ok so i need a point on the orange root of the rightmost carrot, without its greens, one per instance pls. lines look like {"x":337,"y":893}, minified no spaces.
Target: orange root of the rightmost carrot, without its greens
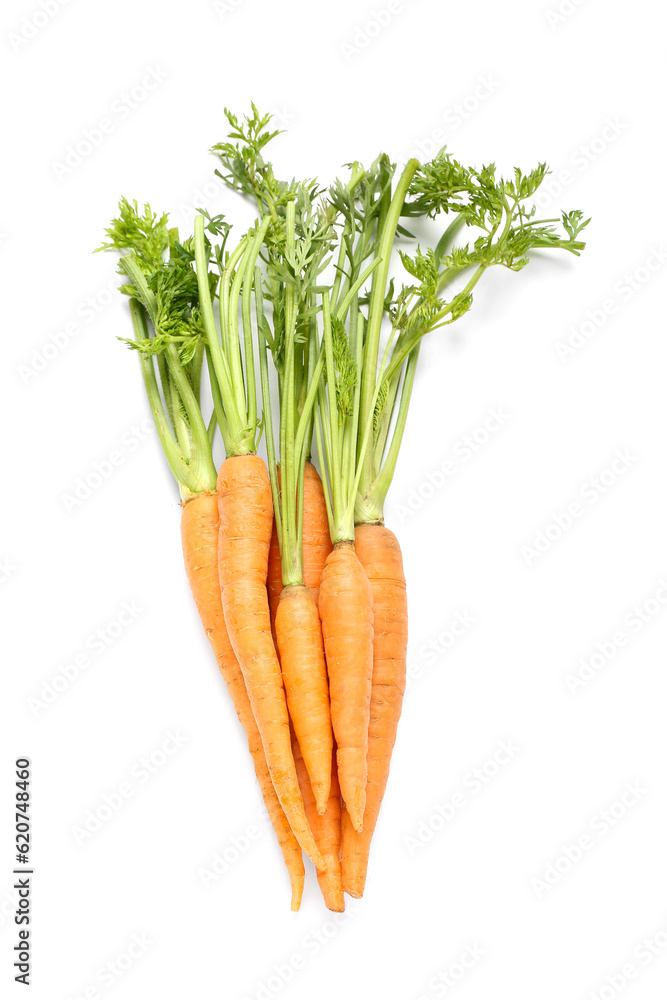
{"x":380,"y":555}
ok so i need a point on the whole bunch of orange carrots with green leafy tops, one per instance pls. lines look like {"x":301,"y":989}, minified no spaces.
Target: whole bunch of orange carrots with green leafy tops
{"x":298,"y":582}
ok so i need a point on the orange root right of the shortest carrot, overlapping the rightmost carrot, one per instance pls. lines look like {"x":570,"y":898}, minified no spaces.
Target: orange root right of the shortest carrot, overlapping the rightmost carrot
{"x":346,"y":610}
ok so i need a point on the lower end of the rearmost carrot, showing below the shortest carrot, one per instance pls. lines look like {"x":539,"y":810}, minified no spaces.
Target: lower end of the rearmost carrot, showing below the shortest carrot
{"x":327,"y":831}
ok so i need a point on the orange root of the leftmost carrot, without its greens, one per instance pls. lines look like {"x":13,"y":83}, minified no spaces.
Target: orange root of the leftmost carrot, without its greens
{"x":199,"y":534}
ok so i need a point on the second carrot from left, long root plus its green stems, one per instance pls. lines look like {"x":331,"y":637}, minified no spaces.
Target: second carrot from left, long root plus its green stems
{"x":245,"y":508}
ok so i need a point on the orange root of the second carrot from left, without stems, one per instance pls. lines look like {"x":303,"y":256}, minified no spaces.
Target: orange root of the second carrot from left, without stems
{"x":246,"y":514}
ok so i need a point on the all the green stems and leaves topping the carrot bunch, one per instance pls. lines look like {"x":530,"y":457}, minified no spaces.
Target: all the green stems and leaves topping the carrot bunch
{"x":345,"y":344}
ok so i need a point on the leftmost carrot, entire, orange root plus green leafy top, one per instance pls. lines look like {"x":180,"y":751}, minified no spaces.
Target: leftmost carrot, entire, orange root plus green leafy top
{"x":186,"y":441}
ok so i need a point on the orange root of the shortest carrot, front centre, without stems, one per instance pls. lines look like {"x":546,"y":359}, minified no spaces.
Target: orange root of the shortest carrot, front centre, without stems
{"x":299,"y":640}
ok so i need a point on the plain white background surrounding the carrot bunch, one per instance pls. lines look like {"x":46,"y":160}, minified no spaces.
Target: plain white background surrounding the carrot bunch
{"x":533,"y":86}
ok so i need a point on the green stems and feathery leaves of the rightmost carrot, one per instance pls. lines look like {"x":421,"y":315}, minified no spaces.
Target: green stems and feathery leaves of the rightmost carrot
{"x":499,"y":211}
